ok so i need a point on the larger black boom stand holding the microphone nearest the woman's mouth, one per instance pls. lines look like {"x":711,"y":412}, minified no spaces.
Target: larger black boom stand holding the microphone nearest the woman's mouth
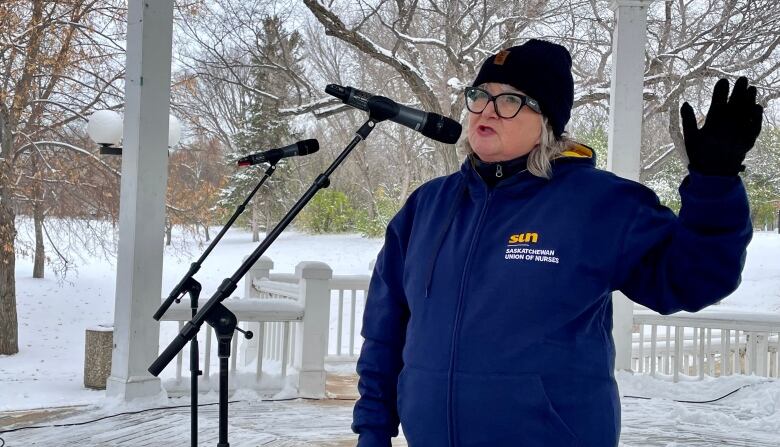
{"x":220,"y":317}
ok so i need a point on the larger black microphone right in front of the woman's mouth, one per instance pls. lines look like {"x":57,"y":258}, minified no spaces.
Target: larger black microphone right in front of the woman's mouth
{"x":432,"y":125}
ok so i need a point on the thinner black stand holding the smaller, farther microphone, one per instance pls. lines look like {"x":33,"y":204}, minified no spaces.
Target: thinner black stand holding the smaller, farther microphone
{"x":190,"y":285}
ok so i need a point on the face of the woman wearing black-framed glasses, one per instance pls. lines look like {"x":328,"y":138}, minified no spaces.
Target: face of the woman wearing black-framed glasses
{"x":499,"y":139}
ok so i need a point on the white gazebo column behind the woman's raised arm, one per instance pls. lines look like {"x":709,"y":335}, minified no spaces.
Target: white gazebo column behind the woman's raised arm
{"x":625,"y":132}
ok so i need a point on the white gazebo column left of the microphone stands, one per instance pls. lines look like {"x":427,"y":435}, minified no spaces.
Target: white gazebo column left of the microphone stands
{"x":142,"y":198}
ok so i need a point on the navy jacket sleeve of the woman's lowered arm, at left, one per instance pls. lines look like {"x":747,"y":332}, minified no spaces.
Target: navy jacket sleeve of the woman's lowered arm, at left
{"x":375,"y":417}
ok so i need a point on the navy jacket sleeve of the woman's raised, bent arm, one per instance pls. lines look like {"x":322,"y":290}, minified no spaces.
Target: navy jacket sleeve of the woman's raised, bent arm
{"x":669,"y":263}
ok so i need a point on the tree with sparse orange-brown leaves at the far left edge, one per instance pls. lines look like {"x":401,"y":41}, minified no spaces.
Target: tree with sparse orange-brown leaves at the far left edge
{"x":49,"y":52}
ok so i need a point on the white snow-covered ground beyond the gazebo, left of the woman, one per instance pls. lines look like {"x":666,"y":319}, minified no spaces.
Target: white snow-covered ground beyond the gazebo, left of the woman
{"x":53,"y":315}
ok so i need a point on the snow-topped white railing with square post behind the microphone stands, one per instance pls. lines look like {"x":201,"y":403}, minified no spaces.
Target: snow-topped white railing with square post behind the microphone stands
{"x":279,"y":313}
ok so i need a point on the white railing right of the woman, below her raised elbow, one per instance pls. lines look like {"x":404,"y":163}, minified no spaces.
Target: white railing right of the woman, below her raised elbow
{"x":712,"y":343}
